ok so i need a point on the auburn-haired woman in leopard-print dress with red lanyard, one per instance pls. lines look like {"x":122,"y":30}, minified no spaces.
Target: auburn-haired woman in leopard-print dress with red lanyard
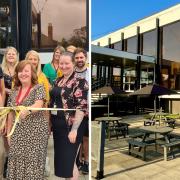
{"x":28,"y":143}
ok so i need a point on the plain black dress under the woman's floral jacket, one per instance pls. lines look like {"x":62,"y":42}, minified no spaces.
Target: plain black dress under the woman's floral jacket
{"x":64,"y":151}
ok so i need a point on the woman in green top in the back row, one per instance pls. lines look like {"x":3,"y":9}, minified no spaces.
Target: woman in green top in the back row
{"x":51,"y":70}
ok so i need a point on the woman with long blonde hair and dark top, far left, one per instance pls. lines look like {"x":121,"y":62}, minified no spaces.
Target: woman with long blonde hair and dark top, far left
{"x":9,"y":63}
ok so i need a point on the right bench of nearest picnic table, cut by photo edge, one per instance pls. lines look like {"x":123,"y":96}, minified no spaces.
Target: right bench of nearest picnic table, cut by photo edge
{"x":170,"y":146}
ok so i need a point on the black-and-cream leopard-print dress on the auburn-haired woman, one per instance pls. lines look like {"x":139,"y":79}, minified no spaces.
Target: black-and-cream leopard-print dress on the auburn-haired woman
{"x":28,"y":148}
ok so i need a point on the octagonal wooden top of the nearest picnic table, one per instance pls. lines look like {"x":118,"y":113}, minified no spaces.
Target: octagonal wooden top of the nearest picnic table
{"x":157,"y":129}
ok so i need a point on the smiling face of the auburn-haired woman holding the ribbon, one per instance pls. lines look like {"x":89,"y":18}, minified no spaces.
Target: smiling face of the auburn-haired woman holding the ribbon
{"x":25,"y":75}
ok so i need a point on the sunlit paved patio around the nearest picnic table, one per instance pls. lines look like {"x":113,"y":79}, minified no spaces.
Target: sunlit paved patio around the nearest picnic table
{"x":120,"y":165}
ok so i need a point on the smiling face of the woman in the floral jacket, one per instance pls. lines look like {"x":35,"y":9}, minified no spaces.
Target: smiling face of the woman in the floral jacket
{"x":66,"y":65}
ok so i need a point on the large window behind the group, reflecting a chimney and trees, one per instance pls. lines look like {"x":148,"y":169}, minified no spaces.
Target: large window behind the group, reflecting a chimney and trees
{"x":58,"y":22}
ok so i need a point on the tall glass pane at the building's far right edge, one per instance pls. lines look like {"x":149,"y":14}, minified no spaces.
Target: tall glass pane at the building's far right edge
{"x":170,"y":70}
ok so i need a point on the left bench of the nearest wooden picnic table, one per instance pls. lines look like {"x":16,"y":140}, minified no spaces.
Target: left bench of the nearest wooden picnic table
{"x":141,"y":145}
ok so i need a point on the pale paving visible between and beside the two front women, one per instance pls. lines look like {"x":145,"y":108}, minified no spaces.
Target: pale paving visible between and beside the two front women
{"x":51,"y":157}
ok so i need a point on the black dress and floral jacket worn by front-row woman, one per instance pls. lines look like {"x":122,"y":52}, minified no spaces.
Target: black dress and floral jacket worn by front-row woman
{"x":71,"y":95}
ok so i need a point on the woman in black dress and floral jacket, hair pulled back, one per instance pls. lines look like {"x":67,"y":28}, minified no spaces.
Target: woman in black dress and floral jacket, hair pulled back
{"x":69,"y":92}
